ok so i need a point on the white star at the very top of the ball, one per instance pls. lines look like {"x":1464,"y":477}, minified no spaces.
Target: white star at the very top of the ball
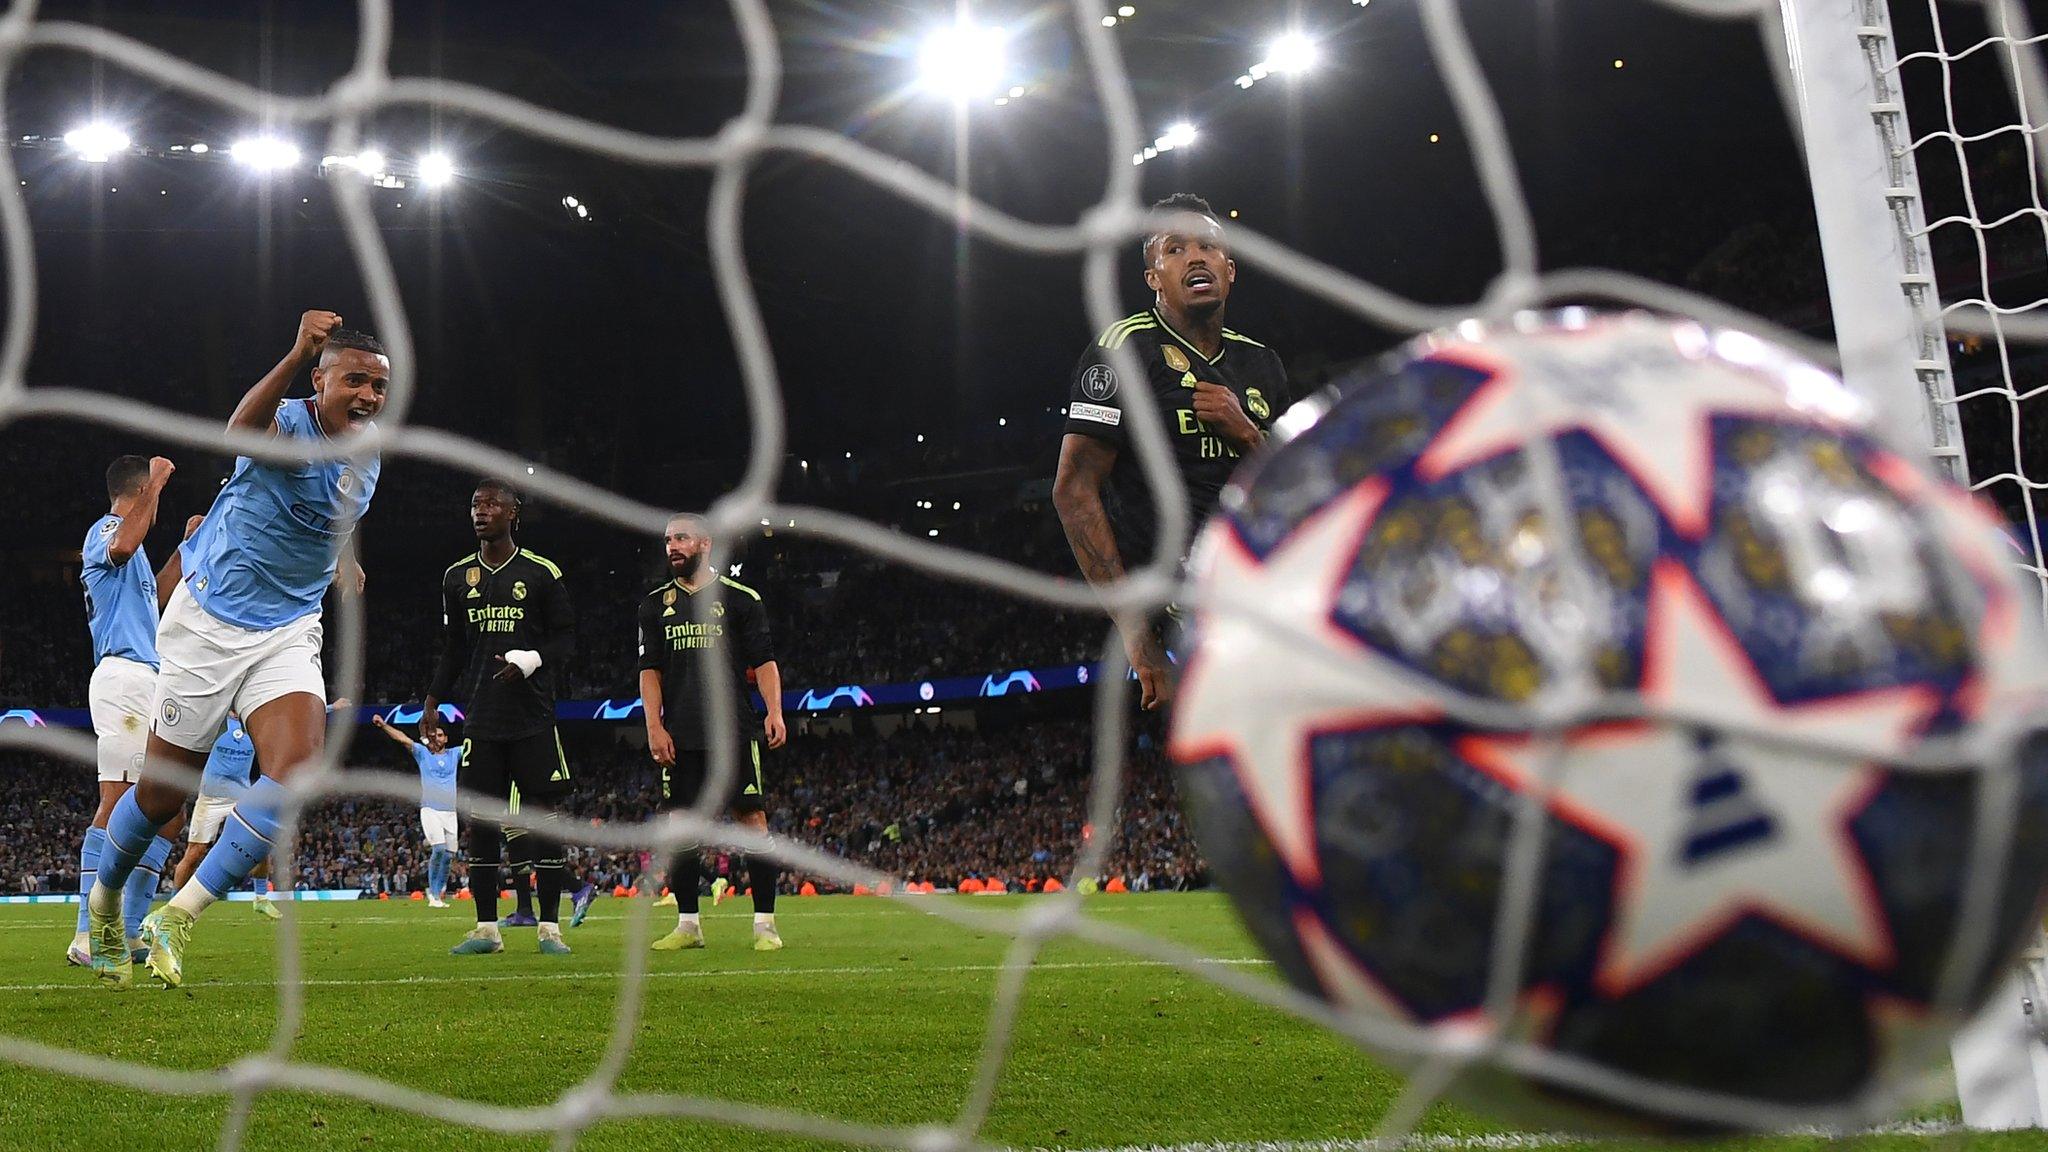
{"x":1654,"y":423}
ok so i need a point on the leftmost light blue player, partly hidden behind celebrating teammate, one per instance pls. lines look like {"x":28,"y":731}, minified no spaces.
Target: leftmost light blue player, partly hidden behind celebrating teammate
{"x":122,"y":608}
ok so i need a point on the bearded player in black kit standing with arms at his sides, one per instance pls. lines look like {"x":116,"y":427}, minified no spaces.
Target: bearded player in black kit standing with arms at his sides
{"x":675,"y":651}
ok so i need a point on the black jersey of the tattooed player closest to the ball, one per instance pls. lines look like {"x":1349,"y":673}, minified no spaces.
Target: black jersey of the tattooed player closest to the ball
{"x":1172,"y":368}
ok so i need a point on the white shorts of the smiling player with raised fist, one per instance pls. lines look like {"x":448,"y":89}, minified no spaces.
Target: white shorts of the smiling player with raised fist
{"x":214,"y":667}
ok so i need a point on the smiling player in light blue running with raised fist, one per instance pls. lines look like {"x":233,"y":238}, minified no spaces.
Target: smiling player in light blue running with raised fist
{"x":243,"y":632}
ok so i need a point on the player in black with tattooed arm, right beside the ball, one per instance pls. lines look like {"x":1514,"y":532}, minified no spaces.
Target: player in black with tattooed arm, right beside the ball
{"x":1215,"y":388}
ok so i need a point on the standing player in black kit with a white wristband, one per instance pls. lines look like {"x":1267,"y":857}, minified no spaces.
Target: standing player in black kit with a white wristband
{"x":507,"y":628}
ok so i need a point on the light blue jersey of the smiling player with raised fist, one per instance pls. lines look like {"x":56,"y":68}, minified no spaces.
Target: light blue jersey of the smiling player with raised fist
{"x":267,"y":550}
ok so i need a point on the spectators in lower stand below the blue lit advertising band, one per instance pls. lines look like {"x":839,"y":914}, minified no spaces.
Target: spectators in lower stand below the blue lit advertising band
{"x":933,"y":805}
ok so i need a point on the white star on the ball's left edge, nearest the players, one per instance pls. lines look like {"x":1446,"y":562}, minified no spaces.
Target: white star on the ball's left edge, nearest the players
{"x":1254,"y":696}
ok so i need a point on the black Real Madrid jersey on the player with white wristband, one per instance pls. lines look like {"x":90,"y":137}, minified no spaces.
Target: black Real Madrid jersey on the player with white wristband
{"x":490,"y":612}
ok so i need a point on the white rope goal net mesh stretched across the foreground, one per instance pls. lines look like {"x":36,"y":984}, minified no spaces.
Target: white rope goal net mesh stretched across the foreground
{"x":1107,"y":231}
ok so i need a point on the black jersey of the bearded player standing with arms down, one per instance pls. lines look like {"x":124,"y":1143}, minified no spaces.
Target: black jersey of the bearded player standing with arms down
{"x":675,"y":645}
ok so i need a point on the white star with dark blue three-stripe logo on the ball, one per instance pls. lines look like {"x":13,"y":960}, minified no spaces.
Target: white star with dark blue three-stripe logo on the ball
{"x":1715,"y":827}
